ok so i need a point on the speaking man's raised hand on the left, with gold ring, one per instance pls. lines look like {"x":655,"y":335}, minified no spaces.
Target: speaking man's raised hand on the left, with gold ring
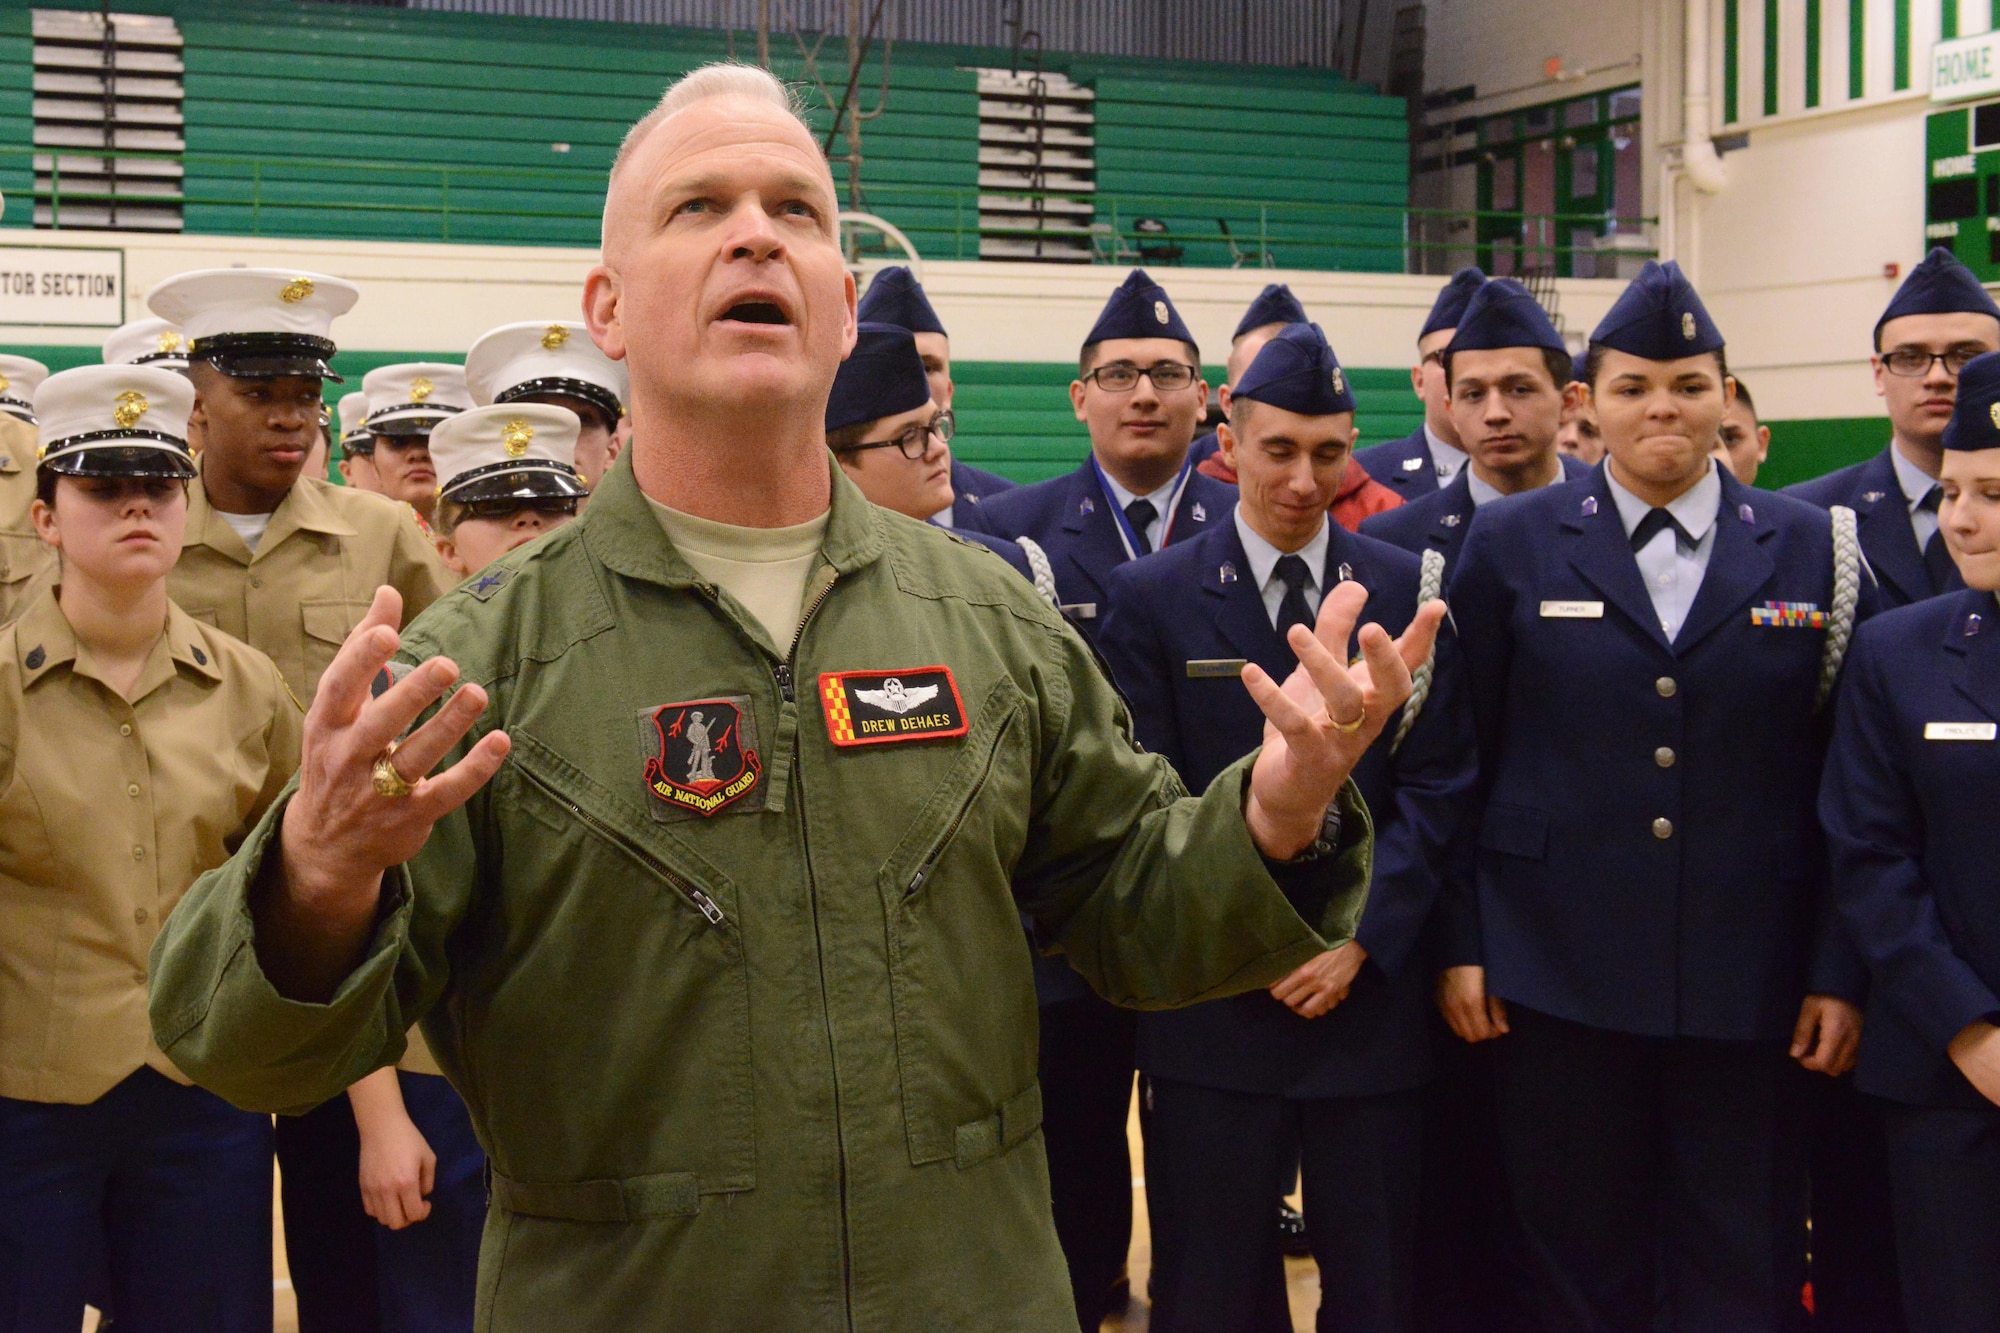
{"x":341,"y":834}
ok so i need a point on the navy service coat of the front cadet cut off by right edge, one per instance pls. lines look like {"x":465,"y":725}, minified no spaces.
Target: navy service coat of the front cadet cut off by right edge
{"x":1909,"y":812}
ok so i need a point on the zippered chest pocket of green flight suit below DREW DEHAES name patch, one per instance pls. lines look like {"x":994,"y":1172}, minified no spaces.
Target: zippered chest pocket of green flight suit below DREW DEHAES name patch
{"x":961,"y":980}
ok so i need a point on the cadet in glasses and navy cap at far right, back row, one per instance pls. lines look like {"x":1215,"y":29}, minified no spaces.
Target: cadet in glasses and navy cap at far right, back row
{"x":1939,"y":321}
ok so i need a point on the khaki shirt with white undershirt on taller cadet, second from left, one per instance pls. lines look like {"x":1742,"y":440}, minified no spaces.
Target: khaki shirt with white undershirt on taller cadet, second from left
{"x":311,"y":581}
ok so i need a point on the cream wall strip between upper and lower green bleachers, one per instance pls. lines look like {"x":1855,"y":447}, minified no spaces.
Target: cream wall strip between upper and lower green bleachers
{"x":441,"y":297}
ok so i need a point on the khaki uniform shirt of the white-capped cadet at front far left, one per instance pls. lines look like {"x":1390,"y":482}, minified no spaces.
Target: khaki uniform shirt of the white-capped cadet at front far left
{"x":109,"y":812}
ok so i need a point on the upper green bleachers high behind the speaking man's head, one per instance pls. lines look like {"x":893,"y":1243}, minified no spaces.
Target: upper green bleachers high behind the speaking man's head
{"x":405,"y":125}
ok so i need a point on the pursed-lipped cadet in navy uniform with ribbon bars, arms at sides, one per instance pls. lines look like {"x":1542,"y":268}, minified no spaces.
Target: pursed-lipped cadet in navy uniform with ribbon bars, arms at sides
{"x":1645,"y":944}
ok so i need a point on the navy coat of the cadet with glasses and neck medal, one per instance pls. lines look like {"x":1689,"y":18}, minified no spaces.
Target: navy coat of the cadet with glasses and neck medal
{"x":1073,"y":519}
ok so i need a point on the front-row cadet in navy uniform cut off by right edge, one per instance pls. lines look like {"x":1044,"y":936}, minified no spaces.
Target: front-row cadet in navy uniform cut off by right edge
{"x":1909,"y":812}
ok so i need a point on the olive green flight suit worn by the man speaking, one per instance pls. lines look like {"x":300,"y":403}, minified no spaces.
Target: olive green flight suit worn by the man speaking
{"x":771,"y":1068}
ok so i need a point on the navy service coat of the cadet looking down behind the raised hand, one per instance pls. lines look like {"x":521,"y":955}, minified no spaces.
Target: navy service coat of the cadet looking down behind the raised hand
{"x":1197,"y":603}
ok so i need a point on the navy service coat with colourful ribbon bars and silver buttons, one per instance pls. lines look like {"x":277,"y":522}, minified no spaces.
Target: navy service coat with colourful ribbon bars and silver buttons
{"x":1649,"y":852}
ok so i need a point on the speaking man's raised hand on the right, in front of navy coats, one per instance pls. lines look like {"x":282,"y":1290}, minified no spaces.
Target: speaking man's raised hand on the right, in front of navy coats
{"x":1325,"y":718}
